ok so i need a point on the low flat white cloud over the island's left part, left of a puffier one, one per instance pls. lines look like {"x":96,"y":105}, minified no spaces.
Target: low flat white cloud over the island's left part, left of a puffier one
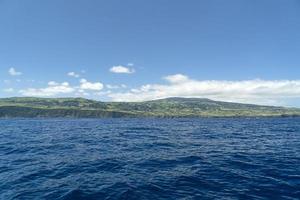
{"x":53,"y":89}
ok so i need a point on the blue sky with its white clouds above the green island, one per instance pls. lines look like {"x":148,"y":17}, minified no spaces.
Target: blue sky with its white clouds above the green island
{"x":136,"y":50}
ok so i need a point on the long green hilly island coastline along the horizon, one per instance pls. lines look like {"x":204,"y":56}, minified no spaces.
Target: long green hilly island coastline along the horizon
{"x":30,"y":107}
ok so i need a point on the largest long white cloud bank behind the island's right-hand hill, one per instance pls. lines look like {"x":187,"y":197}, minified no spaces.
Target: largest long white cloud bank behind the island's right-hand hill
{"x":246,"y":91}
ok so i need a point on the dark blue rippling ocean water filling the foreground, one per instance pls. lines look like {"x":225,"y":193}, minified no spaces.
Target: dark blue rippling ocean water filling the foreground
{"x":206,"y":158}
